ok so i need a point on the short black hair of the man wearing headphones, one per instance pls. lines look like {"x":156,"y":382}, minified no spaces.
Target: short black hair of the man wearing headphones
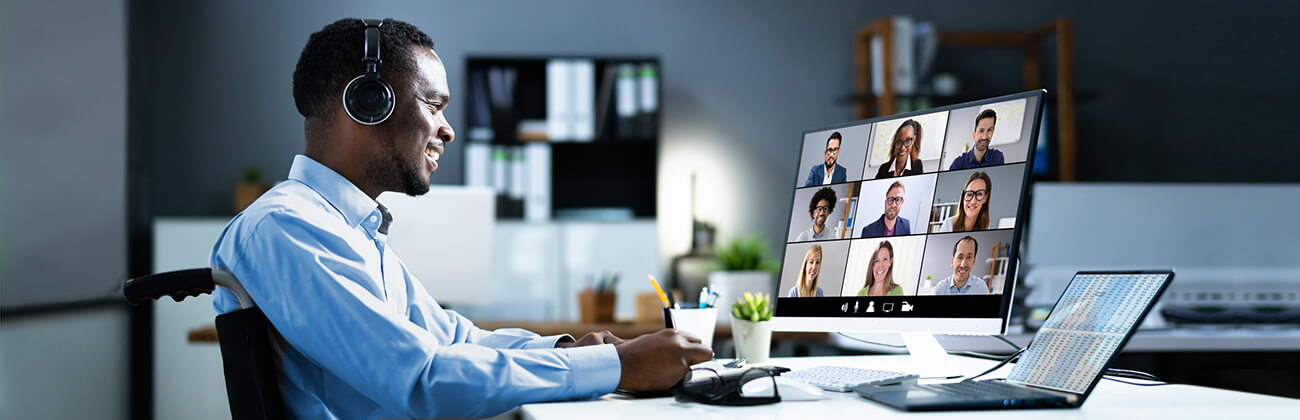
{"x":333,"y":58}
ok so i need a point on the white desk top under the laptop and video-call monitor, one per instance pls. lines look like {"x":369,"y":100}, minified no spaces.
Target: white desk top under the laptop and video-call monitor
{"x":1108,"y":401}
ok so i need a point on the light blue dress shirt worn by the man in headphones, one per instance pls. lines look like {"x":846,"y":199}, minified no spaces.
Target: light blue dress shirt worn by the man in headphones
{"x":362,"y":336}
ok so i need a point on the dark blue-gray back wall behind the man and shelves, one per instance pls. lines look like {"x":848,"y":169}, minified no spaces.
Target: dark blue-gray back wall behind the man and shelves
{"x":1178,"y":86}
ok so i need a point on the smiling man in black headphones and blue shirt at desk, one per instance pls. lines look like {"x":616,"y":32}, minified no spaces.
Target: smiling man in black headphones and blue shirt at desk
{"x":362,"y":339}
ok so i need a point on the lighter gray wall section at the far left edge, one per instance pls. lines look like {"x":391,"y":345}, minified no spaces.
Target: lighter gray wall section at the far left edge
{"x":63,"y":151}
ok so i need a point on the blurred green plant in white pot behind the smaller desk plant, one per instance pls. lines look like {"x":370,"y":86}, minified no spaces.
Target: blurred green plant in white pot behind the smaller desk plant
{"x":742,"y":266}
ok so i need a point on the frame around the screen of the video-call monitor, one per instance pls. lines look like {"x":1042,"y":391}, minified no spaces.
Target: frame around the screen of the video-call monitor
{"x":937,"y":326}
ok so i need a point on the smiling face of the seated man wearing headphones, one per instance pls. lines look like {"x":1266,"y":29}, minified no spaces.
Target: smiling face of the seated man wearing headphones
{"x":415,"y":136}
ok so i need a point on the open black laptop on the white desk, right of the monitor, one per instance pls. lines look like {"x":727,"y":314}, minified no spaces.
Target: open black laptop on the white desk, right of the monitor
{"x":1091,"y":322}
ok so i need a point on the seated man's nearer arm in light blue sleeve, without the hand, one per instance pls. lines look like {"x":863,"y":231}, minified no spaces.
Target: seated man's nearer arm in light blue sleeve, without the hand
{"x":324,"y":305}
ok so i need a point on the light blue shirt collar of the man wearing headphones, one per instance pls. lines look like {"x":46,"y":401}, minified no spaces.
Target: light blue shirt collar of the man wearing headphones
{"x":346,"y":198}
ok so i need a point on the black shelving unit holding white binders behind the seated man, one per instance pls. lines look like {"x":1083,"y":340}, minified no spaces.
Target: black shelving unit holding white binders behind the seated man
{"x":614,"y":168}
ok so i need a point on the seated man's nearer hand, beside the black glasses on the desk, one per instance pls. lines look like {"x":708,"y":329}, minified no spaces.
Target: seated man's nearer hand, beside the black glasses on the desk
{"x":658,"y":361}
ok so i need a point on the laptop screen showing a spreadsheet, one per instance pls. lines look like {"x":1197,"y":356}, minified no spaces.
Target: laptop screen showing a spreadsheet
{"x":1094,"y":318}
